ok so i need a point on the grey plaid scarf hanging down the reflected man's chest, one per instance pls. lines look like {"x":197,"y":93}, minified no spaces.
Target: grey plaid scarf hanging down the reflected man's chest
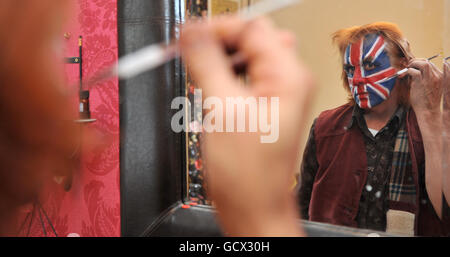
{"x":401,"y":183}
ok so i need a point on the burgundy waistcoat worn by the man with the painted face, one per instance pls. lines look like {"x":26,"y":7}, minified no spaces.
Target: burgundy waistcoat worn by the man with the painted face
{"x":342,"y":173}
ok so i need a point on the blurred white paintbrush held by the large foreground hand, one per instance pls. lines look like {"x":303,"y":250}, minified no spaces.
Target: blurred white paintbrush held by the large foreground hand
{"x":154,"y":55}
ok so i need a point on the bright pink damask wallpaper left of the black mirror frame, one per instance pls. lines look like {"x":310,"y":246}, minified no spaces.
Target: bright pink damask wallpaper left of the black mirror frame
{"x":92,"y":206}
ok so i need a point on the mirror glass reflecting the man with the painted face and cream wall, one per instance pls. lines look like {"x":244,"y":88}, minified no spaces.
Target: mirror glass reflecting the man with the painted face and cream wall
{"x":363,"y":163}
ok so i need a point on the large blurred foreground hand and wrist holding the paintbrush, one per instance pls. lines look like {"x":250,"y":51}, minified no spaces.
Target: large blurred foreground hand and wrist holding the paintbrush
{"x":249,"y":181}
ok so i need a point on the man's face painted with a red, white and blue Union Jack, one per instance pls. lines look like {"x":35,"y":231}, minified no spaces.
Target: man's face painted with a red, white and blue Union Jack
{"x":369,"y":71}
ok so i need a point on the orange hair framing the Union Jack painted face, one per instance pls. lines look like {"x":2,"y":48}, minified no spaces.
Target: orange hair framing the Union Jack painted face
{"x":398,"y":50}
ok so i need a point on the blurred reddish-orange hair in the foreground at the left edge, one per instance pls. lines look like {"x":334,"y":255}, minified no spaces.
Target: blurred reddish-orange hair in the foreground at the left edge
{"x":37,"y":132}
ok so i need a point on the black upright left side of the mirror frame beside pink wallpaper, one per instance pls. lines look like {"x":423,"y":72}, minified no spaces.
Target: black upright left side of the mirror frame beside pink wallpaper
{"x":151,"y":154}
